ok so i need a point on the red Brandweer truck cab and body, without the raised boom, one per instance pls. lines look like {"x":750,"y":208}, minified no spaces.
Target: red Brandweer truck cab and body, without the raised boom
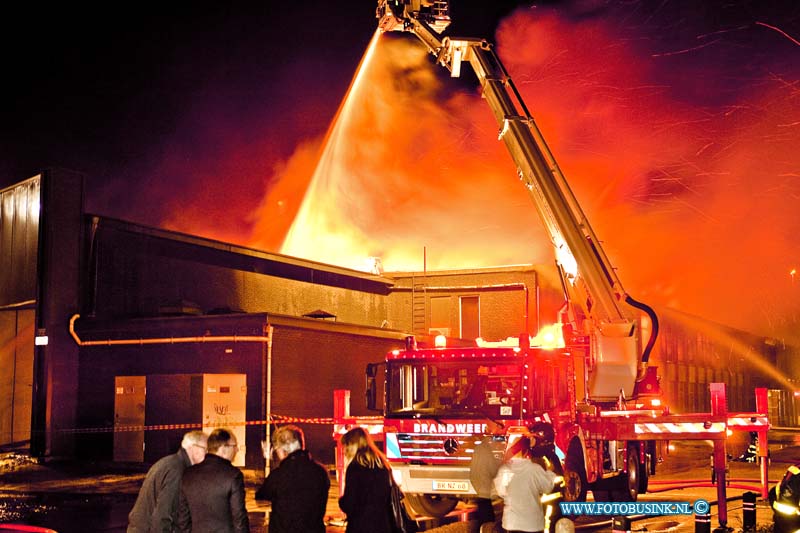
{"x":441,"y":402}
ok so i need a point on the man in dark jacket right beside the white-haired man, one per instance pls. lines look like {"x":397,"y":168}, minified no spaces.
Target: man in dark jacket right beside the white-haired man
{"x":212,"y":492}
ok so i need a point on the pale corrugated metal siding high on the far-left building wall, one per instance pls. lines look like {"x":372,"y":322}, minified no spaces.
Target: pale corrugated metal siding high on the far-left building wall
{"x":19,"y":240}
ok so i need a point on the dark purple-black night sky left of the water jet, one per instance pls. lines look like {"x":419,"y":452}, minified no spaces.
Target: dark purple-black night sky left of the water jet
{"x":147,"y":102}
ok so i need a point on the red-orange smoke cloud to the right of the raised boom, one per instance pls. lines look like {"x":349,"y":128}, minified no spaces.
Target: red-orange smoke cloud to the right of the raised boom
{"x":686,"y":168}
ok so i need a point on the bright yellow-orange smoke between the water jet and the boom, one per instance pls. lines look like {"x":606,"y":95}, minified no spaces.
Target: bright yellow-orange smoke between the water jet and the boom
{"x":406,"y":168}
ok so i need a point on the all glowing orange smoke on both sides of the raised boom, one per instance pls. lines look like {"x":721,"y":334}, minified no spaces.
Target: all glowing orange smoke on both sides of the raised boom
{"x":682,"y":155}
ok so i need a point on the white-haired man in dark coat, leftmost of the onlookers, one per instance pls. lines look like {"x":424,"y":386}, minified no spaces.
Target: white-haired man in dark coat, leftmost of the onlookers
{"x":156,"y":507}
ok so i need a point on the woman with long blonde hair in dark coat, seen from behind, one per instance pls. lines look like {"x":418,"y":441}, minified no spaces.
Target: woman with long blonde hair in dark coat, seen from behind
{"x":366,"y":486}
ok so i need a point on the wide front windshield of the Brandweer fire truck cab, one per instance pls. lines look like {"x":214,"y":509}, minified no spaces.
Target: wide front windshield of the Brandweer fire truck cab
{"x":451,"y":389}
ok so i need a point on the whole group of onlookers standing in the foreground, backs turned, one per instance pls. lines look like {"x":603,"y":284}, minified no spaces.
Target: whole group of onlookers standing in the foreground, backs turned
{"x":198,"y":488}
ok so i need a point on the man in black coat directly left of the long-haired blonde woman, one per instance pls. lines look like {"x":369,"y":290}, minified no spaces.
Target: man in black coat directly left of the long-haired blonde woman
{"x":298,"y":487}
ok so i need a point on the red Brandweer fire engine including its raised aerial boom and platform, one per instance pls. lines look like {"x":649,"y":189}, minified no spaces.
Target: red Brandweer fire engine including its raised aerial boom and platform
{"x":592,"y":390}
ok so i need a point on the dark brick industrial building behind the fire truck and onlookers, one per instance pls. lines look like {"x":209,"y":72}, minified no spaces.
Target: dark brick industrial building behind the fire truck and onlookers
{"x":116,"y":337}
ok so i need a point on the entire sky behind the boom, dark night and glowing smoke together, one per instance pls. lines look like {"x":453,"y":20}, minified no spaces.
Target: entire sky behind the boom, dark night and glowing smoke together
{"x":677,"y":123}
